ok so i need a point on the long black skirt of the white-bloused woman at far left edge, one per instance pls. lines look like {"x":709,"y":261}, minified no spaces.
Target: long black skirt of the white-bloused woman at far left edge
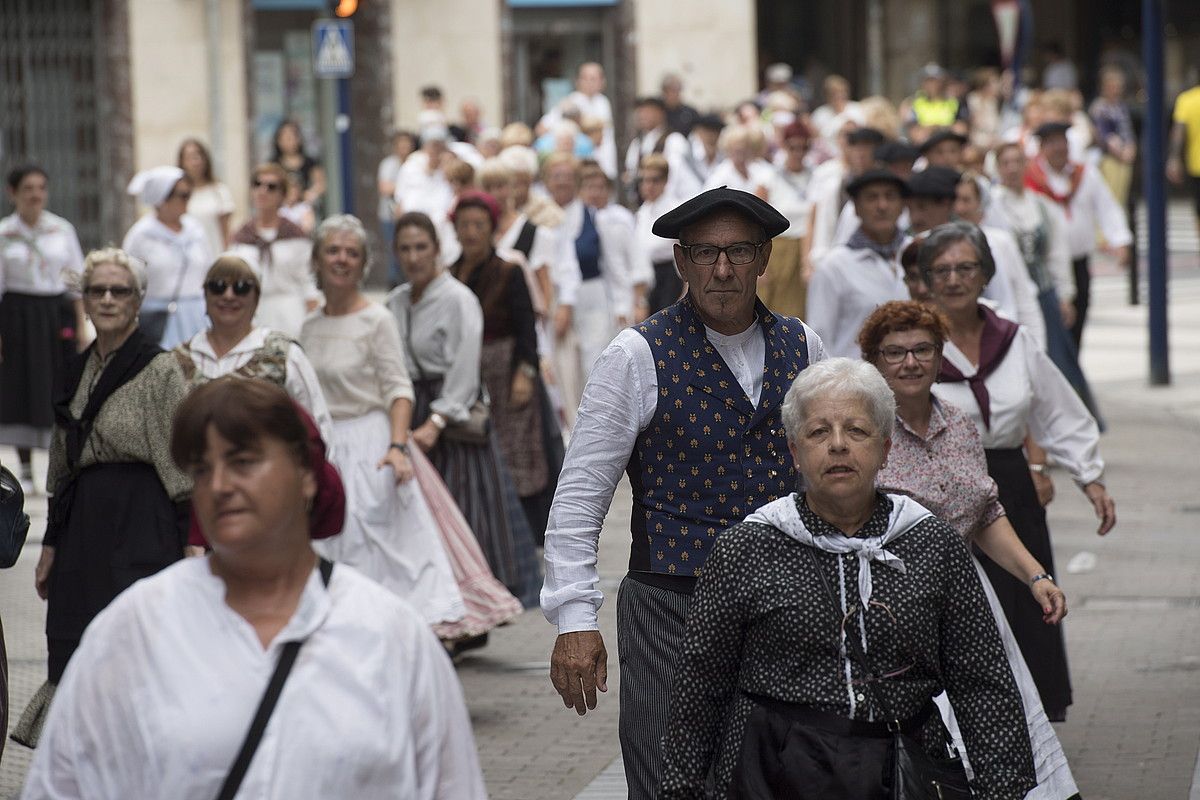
{"x":37,"y":340}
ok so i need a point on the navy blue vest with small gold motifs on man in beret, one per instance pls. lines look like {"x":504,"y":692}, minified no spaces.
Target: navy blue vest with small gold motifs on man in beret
{"x":710,"y":458}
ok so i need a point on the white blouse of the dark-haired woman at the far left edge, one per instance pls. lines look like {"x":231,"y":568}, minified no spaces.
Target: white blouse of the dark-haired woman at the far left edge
{"x":37,"y":261}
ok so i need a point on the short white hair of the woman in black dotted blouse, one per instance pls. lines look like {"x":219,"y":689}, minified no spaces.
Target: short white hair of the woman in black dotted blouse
{"x":843,"y":378}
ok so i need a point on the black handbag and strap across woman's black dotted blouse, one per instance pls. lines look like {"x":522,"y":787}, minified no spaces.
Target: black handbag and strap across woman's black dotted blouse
{"x":916,"y":775}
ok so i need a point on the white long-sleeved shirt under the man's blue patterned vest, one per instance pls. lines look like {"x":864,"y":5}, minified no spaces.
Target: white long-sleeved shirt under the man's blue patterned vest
{"x":619,"y":404}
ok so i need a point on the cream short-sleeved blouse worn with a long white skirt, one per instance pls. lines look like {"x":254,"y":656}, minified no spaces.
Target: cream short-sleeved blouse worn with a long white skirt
{"x":359,"y":359}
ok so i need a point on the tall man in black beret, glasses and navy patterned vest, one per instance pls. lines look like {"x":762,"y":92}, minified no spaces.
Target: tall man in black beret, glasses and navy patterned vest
{"x":688,"y":405}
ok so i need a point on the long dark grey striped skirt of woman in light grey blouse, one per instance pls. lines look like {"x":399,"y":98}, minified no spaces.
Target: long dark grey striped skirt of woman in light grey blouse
{"x":482,"y":488}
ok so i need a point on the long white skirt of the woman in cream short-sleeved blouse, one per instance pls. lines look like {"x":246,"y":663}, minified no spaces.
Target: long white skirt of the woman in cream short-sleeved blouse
{"x":391,"y":534}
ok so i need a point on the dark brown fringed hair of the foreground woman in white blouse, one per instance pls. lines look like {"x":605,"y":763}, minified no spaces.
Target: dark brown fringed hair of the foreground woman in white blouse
{"x":243,"y":411}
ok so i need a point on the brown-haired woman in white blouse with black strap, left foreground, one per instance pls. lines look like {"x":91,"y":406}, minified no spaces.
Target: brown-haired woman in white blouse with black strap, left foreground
{"x":371,"y":708}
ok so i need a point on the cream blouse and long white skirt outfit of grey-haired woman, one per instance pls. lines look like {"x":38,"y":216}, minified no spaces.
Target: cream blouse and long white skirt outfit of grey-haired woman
{"x":391,"y":533}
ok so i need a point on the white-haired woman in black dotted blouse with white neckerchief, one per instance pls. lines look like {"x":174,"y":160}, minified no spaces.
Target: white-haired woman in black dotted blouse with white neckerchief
{"x":767,"y":667}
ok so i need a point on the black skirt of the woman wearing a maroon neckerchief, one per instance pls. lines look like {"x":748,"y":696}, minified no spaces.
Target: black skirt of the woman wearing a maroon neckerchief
{"x":1043,"y":646}
